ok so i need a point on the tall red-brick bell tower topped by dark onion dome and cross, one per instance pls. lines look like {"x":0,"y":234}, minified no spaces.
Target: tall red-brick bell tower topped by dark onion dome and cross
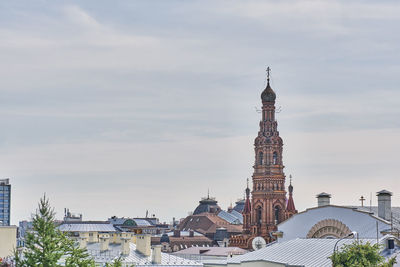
{"x":269,"y":204}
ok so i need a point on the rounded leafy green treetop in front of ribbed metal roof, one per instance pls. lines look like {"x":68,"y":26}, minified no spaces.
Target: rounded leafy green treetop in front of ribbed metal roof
{"x":360,"y":254}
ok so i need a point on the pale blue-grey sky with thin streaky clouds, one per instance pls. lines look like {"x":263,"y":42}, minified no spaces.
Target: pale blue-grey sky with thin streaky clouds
{"x":118,"y":107}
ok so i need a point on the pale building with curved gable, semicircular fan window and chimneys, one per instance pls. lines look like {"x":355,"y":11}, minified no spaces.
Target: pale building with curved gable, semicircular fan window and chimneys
{"x":330,"y":221}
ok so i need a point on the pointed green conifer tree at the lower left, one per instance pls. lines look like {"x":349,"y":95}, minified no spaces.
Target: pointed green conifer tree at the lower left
{"x":46,"y":245}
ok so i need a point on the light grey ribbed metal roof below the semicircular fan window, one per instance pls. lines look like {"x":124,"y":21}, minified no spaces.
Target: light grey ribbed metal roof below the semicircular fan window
{"x":302,"y":252}
